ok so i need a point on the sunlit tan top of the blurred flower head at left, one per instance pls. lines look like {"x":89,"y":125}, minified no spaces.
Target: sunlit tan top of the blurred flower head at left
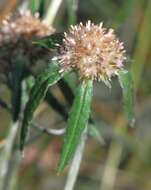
{"x":24,"y":25}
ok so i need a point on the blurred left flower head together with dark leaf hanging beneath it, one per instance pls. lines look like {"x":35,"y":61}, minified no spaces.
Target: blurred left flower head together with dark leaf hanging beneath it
{"x":18,"y":54}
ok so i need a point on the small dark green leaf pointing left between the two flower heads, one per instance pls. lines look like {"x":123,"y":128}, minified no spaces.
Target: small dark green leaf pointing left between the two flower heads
{"x":50,"y":42}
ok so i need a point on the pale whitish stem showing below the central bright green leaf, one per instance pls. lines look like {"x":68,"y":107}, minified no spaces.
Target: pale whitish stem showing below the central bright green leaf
{"x":75,"y":165}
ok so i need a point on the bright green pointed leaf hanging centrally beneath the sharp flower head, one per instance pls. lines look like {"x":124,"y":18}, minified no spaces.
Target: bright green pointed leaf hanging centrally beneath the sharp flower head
{"x":77,"y":121}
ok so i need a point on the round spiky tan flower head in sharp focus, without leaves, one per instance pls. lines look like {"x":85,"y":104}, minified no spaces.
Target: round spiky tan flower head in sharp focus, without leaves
{"x":93,"y":51}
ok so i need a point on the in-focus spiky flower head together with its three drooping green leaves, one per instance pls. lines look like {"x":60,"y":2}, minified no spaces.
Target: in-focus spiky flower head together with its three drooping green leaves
{"x":94,"y":53}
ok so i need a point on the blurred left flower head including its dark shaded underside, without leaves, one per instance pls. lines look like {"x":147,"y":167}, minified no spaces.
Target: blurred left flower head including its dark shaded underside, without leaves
{"x":16,"y":35}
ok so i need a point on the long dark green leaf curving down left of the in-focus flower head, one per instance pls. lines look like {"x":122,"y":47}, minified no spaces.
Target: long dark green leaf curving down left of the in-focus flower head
{"x":38,"y":92}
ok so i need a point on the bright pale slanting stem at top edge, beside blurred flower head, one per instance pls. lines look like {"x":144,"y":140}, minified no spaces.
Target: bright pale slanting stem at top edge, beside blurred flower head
{"x":52,"y":11}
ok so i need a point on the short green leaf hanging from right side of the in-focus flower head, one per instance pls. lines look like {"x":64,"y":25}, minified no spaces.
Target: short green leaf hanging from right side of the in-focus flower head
{"x":126,"y":83}
